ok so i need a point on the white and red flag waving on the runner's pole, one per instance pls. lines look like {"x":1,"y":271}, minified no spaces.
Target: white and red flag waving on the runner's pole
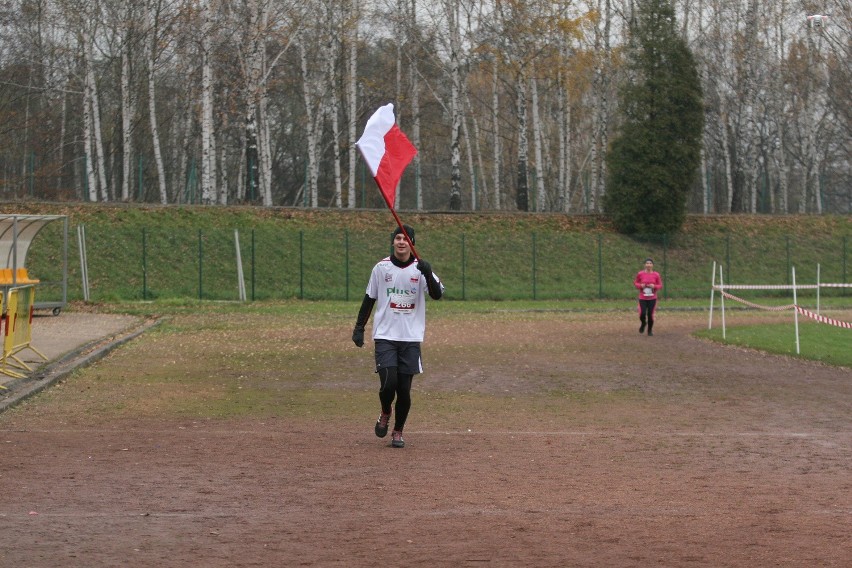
{"x":386,"y":150}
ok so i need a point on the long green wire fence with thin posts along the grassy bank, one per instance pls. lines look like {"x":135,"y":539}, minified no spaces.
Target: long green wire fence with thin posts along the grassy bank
{"x":325,"y":264}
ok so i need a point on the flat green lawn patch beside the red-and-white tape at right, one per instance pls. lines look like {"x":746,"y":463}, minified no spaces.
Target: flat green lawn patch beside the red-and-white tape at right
{"x":819,"y":342}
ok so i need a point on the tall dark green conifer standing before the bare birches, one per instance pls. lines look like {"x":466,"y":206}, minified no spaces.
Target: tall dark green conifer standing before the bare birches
{"x":655,"y":159}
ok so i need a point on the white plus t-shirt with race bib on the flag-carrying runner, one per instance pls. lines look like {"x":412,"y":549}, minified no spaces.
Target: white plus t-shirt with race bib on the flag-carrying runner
{"x":400,"y":295}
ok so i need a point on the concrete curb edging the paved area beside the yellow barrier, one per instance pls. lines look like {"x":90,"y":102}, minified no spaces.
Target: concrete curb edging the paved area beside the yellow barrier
{"x":55,"y":371}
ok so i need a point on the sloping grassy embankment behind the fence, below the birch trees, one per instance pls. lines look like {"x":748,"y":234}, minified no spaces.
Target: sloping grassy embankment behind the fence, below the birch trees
{"x":185,"y":253}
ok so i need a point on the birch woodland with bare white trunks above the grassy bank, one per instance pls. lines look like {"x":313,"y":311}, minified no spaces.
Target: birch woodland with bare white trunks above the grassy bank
{"x":512,"y":104}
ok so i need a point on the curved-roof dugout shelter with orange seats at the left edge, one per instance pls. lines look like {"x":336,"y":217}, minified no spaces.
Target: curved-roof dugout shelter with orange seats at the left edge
{"x":17,"y":233}
